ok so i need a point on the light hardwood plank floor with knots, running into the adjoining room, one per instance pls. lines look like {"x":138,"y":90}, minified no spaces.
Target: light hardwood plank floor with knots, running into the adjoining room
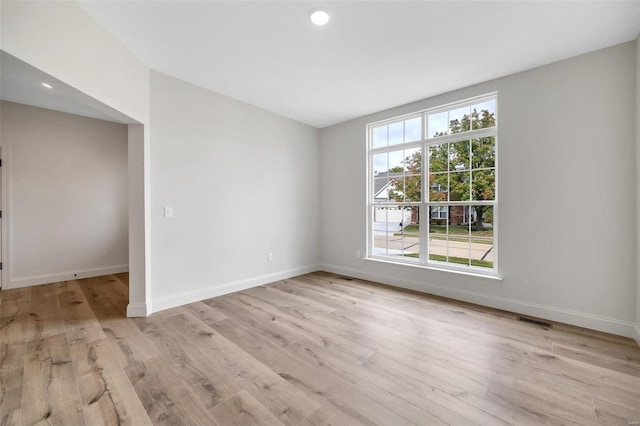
{"x":316,"y":349}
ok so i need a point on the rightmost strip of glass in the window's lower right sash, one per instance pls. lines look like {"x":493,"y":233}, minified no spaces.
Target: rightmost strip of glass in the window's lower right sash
{"x":481,"y":242}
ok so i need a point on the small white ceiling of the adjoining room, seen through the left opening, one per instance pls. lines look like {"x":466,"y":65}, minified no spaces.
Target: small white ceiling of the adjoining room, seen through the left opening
{"x":22,"y":83}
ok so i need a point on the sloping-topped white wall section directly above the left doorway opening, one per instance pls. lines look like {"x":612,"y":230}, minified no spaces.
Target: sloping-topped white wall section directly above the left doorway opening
{"x":61,"y":39}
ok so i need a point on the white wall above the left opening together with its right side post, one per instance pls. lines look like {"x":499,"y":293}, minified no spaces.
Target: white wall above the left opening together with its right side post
{"x":62,"y":40}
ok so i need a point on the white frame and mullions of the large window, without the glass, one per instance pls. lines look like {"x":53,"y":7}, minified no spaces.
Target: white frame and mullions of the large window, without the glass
{"x":424,"y":204}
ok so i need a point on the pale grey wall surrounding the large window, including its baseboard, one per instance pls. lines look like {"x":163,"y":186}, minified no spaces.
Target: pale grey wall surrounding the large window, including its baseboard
{"x":566,"y":217}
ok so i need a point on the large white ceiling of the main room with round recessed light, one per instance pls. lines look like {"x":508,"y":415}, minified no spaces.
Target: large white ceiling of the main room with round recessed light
{"x":371,"y":56}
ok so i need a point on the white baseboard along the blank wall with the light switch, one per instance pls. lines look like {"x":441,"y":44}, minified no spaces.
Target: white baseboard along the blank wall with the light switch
{"x":163,"y":303}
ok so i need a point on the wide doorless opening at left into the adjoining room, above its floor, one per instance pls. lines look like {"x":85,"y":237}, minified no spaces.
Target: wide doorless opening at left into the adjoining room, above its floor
{"x":122,"y":215}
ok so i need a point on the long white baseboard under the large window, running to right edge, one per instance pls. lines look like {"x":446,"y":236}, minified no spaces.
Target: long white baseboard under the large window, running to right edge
{"x":580,"y":319}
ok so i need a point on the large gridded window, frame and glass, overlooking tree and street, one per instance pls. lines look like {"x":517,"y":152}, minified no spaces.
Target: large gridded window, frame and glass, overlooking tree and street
{"x":432,"y":187}
